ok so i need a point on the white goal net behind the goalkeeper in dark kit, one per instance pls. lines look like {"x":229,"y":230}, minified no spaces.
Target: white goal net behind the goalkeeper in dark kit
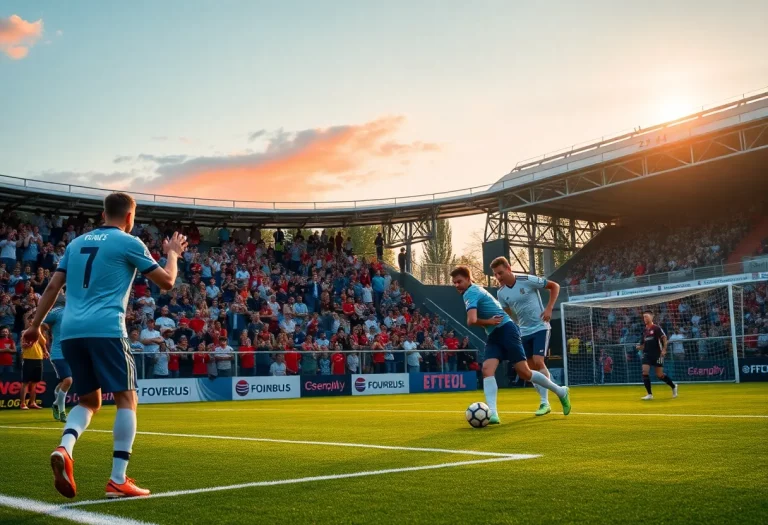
{"x":703,"y":327}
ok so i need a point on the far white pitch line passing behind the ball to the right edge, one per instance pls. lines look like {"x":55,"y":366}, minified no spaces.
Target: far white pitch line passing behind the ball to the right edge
{"x":457,"y":412}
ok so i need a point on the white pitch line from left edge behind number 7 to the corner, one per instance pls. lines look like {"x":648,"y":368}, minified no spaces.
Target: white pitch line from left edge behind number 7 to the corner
{"x":301,"y":442}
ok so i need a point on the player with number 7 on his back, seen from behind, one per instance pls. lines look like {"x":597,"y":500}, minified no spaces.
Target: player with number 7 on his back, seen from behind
{"x":98,"y":269}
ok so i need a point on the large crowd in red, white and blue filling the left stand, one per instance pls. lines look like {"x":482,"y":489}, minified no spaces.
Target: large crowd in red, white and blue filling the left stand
{"x":296,"y":305}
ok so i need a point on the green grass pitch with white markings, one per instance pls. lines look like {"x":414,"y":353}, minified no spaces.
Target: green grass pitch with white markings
{"x":615,"y":459}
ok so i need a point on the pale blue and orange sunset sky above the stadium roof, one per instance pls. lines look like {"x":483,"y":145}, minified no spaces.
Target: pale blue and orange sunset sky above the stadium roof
{"x":307,"y":101}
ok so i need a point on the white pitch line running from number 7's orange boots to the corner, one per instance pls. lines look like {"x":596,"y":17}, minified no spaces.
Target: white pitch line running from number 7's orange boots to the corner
{"x":510,"y":457}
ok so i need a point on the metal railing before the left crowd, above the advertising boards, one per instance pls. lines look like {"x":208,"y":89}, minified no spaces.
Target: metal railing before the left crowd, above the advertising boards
{"x":443,"y":363}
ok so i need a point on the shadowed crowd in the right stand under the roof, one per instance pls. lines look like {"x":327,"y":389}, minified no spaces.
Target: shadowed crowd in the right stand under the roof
{"x":662,"y":247}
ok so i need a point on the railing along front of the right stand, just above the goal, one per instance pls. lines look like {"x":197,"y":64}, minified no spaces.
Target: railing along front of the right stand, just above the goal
{"x":748,"y":265}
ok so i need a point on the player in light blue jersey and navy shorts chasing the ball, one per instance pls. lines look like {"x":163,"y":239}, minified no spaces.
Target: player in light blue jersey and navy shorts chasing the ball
{"x":503,"y":341}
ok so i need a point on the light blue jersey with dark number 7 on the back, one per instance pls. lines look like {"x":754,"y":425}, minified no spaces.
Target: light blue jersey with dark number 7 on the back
{"x":100,"y":267}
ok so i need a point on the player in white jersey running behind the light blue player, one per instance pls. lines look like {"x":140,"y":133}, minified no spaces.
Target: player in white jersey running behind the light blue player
{"x":520,"y":295}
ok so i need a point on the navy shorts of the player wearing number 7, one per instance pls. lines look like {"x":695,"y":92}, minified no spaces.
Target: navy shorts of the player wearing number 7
{"x":100,"y":363}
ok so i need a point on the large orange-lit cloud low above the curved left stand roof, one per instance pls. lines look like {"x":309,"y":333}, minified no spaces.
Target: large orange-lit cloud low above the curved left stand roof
{"x":300,"y":165}
